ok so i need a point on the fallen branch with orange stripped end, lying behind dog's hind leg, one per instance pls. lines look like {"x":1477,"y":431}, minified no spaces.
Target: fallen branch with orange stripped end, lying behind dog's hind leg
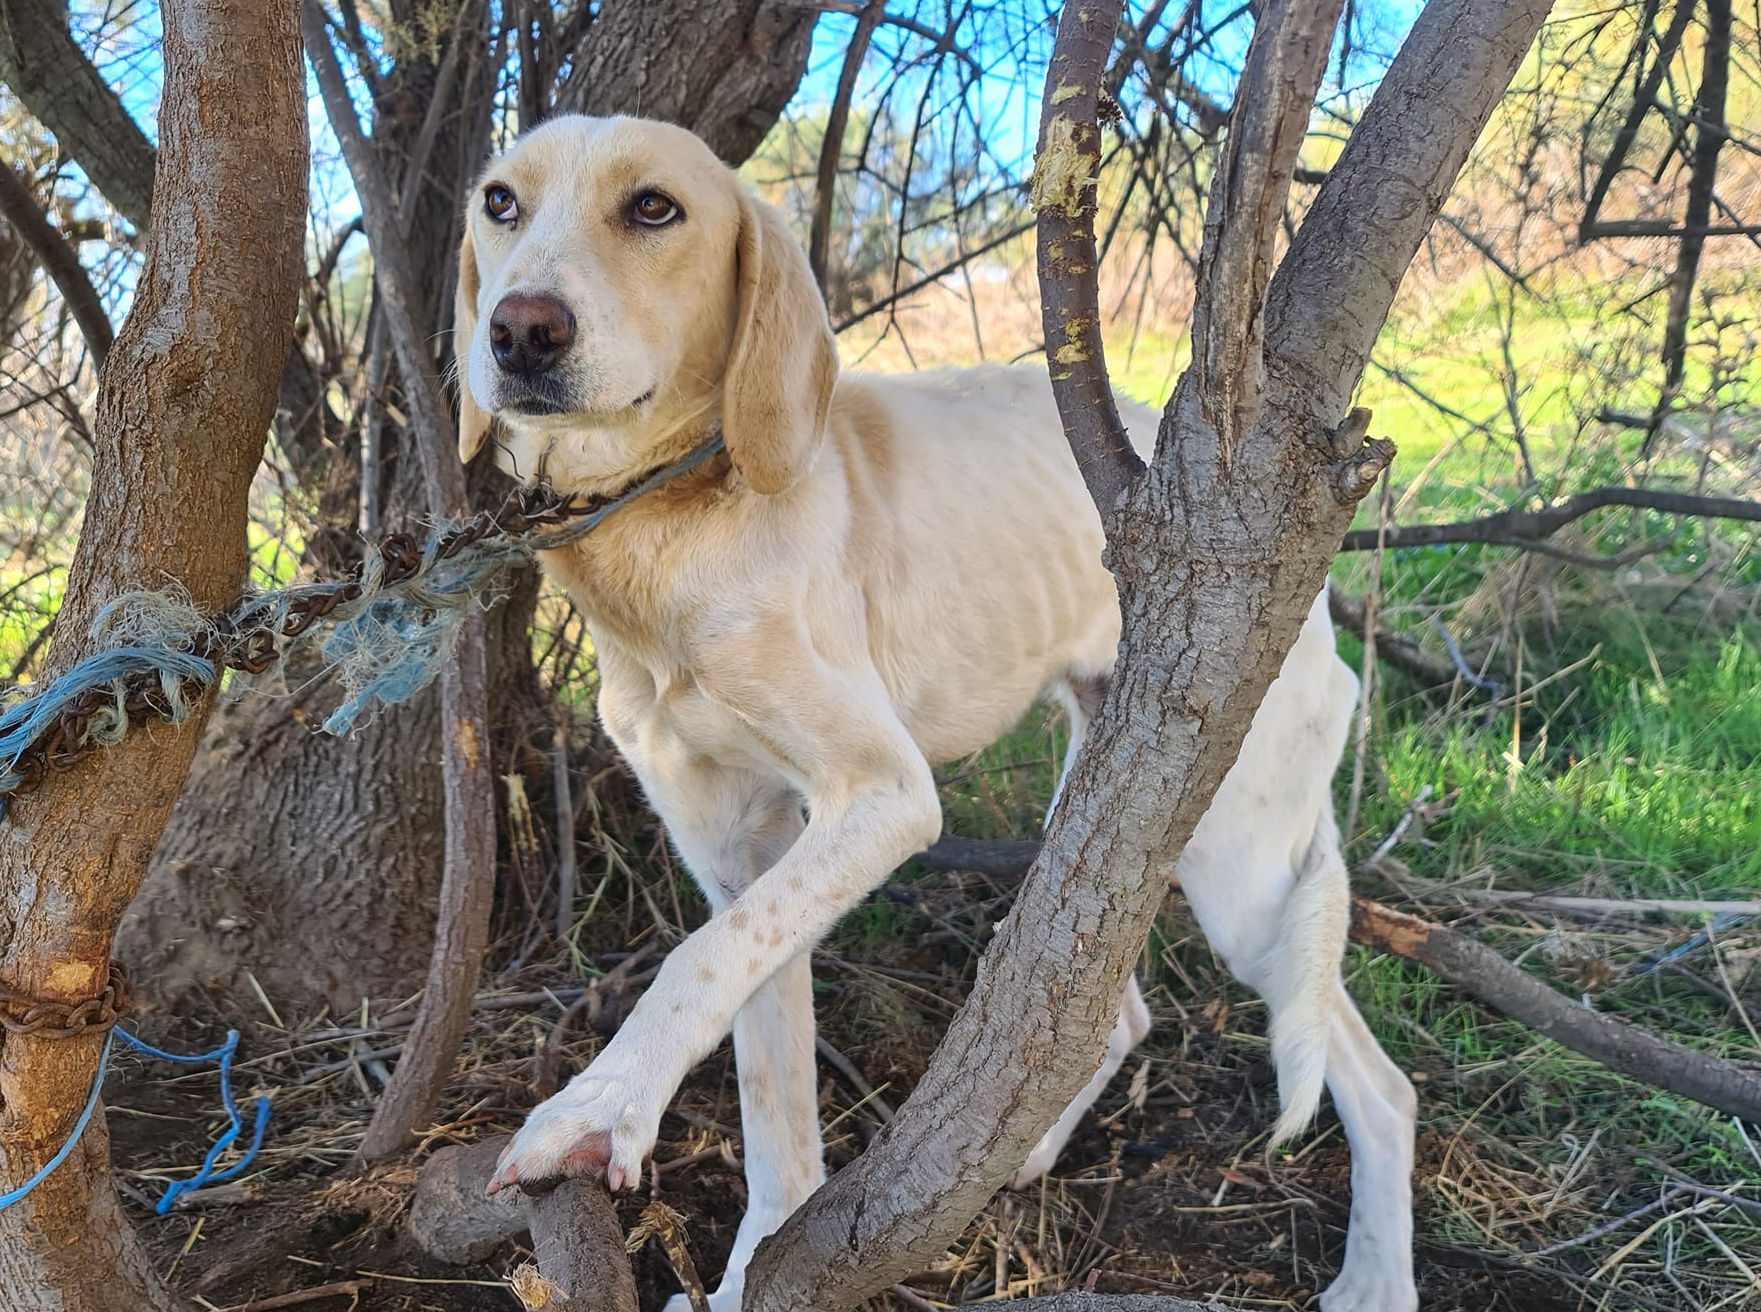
{"x":1484,"y":973}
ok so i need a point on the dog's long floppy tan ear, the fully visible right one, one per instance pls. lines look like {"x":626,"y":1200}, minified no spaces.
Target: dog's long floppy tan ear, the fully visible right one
{"x":785,"y":360}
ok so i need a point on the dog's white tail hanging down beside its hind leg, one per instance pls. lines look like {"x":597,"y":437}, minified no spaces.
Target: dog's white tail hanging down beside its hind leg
{"x":1302,"y":977}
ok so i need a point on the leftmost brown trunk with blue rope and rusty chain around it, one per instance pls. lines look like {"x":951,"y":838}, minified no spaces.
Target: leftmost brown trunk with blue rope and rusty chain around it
{"x":182,"y":416}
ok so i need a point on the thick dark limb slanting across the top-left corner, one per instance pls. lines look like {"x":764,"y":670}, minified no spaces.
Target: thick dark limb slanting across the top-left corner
{"x":50,"y":75}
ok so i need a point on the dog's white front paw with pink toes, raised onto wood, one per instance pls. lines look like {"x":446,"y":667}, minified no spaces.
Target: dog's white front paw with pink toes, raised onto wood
{"x":600,"y":1126}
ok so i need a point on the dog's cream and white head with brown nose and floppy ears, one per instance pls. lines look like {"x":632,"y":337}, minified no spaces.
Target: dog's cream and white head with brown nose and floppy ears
{"x":617,"y":288}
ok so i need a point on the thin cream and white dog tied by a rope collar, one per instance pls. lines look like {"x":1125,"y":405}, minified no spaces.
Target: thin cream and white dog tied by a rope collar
{"x":881,"y":573}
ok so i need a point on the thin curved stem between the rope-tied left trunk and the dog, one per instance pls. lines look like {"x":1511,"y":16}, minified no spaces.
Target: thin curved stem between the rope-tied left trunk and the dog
{"x":468,"y":883}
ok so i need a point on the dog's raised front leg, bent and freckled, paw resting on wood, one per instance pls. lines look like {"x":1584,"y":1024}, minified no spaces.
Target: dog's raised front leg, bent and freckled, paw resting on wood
{"x":871,"y":809}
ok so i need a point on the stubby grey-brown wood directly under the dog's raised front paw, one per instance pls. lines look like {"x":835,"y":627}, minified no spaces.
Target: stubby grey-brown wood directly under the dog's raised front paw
{"x":575,"y":1227}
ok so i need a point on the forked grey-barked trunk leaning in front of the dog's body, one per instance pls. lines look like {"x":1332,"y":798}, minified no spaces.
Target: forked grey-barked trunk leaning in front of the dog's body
{"x":1219,"y":550}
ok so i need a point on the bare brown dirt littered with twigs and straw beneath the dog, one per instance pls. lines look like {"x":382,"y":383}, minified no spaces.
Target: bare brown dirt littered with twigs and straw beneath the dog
{"x":1168,"y":1188}
